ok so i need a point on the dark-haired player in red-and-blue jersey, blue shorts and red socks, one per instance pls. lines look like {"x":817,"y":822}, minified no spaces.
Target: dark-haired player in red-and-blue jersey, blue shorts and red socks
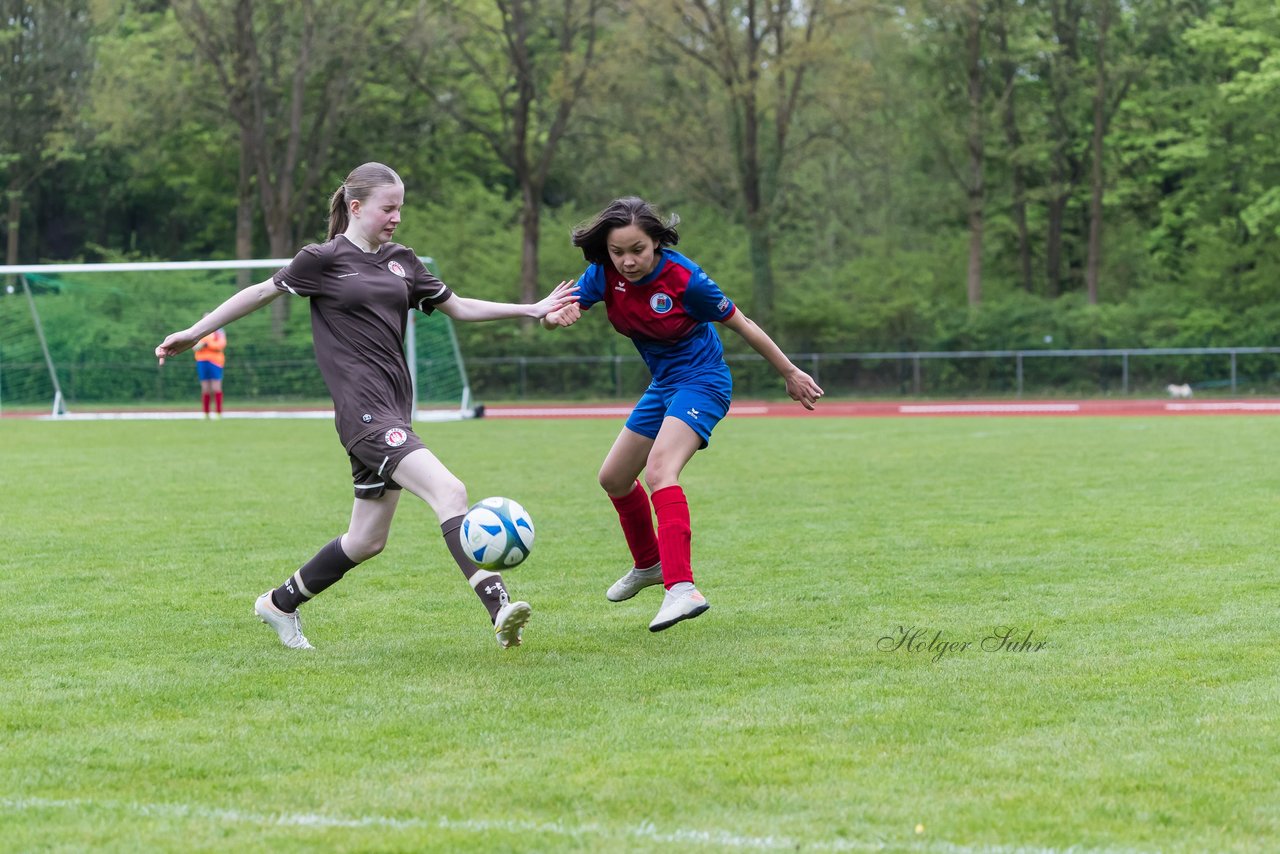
{"x":666,"y":305}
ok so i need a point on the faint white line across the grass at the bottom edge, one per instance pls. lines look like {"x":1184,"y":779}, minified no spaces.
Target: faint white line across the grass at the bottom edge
{"x":646,"y":832}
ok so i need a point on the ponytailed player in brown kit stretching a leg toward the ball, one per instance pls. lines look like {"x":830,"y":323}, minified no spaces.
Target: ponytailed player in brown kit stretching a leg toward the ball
{"x":362,"y":286}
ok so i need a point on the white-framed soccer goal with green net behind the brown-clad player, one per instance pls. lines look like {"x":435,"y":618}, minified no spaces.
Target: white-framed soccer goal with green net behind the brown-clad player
{"x":77,"y":341}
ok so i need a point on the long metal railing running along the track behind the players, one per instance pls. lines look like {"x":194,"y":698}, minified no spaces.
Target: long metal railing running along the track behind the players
{"x":1005,"y":373}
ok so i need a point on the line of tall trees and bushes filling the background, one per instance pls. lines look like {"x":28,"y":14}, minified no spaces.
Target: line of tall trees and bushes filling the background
{"x":858,"y":175}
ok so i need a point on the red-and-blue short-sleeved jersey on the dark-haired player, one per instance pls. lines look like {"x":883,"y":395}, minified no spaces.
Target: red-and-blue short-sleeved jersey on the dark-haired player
{"x":668,"y":316}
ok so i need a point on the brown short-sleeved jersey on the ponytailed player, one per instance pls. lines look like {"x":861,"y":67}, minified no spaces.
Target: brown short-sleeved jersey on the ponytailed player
{"x":360,"y":305}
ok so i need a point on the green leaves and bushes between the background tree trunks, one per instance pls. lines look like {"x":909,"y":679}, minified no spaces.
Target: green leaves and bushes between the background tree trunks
{"x":868,"y":226}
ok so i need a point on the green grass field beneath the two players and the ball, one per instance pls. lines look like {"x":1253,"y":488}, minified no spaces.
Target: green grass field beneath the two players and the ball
{"x":143,"y":706}
